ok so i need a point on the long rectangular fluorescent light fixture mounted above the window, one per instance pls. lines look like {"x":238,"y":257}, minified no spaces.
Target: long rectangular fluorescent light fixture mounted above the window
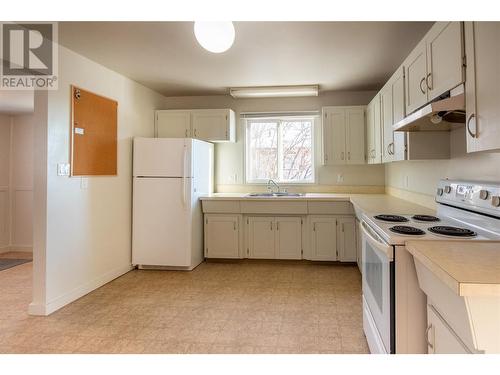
{"x":273,"y":91}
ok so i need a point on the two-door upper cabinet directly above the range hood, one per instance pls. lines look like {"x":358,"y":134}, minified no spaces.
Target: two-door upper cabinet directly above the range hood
{"x":435,"y":65}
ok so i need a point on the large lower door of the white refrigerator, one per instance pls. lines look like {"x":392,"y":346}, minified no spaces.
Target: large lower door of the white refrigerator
{"x":161,"y":222}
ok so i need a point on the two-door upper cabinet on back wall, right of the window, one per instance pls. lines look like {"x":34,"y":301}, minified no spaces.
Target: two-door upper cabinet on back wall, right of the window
{"x":343,"y":135}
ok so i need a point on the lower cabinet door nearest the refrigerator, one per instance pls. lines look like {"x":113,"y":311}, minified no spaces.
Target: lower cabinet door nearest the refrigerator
{"x":222,"y":236}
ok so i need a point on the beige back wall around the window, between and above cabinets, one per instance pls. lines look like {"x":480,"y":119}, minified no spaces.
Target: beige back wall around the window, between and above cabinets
{"x":229,"y":167}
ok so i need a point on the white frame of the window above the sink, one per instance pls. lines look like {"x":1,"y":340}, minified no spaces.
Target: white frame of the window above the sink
{"x":279,"y":180}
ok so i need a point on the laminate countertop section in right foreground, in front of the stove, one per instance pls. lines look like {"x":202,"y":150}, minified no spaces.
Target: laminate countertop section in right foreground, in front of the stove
{"x":469,"y":268}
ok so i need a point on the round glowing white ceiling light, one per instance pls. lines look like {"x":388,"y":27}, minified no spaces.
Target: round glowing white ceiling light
{"x":215,"y":37}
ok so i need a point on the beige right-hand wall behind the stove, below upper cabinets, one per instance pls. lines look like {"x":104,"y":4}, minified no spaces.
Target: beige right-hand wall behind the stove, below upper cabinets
{"x":423,"y":175}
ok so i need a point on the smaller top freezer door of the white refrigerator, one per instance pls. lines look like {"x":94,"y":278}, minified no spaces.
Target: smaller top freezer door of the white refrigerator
{"x":162,"y":157}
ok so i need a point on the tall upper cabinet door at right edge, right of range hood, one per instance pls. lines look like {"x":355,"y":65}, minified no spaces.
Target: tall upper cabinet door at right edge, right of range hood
{"x":482,"y":85}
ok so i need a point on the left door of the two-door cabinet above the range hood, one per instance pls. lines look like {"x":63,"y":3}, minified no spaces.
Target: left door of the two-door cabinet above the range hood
{"x":415,"y":75}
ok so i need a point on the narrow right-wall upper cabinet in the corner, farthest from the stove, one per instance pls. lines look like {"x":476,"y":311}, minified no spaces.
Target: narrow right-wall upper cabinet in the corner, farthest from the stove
{"x":374,"y":131}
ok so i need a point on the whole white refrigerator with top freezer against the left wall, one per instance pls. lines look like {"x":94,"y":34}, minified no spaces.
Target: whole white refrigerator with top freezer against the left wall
{"x":169,"y":175}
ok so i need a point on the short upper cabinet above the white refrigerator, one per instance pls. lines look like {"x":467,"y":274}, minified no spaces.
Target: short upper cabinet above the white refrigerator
{"x":213,"y":125}
